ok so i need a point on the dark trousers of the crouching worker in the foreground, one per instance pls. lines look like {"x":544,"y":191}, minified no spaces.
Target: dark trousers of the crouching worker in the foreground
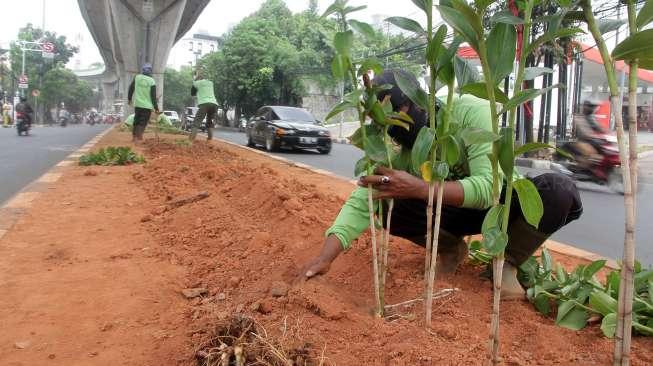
{"x":561,"y":201}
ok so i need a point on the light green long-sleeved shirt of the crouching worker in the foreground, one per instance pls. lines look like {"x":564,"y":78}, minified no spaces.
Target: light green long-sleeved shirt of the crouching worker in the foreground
{"x":474,"y":173}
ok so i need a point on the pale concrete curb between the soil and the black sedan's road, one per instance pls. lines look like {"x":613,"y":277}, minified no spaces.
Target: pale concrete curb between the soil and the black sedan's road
{"x":554,"y":246}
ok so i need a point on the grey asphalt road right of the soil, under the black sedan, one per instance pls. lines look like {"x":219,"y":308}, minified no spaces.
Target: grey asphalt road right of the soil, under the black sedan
{"x":599,"y":230}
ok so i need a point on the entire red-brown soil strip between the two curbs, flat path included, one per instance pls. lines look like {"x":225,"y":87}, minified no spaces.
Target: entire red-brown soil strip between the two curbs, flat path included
{"x":118,"y":255}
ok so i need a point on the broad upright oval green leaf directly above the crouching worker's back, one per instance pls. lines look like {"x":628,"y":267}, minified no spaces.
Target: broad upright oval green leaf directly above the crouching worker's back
{"x":501,"y":50}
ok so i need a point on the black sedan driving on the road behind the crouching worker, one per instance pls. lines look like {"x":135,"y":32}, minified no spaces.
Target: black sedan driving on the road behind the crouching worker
{"x":278,"y":127}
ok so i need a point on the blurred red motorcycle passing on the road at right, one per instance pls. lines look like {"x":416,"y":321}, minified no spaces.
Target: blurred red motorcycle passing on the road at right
{"x":606,"y":171}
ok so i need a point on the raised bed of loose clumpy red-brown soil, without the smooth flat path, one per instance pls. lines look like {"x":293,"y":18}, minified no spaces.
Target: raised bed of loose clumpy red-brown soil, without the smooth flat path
{"x":262,"y":220}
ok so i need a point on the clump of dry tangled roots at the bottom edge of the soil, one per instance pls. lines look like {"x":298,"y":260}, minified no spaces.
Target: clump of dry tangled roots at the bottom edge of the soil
{"x":240,"y":341}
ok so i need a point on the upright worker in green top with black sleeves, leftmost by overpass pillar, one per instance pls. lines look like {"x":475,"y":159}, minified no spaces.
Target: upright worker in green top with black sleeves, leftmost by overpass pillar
{"x":142,"y":95}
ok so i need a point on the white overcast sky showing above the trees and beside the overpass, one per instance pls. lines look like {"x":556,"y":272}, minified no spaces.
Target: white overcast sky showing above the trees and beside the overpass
{"x":63,"y":17}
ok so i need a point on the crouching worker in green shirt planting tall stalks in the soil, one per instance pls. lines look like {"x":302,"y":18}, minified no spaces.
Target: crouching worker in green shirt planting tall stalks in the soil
{"x":467,"y":198}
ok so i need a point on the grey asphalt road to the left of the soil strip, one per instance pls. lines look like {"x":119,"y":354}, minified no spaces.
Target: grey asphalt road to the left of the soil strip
{"x":25,"y":158}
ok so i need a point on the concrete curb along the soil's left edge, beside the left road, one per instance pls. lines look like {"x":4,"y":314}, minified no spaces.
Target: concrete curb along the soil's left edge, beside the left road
{"x":16,"y":206}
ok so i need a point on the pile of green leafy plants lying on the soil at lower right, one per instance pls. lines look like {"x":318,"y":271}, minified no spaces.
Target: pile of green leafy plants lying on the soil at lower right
{"x":576,"y":297}
